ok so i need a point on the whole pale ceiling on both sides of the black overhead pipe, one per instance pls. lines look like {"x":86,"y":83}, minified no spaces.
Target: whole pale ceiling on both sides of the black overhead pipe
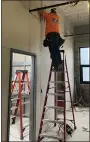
{"x":77,"y":15}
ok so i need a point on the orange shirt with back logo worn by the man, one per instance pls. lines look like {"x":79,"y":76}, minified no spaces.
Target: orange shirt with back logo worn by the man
{"x":52,"y":22}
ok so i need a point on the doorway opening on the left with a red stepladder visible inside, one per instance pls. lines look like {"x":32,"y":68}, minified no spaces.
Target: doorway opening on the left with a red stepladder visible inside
{"x":22,"y":91}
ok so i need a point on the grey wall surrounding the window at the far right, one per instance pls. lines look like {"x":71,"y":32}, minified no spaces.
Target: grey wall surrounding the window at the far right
{"x":81,"y":41}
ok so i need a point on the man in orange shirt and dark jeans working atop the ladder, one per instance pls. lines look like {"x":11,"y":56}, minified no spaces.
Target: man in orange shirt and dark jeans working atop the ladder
{"x":53,"y":39}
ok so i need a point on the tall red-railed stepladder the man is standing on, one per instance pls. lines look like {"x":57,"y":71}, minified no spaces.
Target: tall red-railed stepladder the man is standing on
{"x":61,"y":122}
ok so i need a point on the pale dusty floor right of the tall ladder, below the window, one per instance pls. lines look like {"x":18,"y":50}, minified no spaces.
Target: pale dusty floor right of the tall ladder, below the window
{"x":82,"y":120}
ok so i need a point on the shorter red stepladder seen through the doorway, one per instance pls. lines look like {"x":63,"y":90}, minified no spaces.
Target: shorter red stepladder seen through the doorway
{"x":21,"y":77}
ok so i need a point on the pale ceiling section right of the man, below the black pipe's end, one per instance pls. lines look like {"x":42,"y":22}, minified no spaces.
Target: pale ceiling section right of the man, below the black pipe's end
{"x":79,"y":14}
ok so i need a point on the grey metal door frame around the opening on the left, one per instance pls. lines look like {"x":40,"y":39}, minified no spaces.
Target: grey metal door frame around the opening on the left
{"x":32,"y":128}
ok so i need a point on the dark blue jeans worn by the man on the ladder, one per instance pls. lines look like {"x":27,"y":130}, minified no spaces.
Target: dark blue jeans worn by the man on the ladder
{"x":54,"y":42}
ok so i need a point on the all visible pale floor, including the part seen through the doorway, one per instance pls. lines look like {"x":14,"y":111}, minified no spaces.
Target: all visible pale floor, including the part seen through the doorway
{"x":82,"y":120}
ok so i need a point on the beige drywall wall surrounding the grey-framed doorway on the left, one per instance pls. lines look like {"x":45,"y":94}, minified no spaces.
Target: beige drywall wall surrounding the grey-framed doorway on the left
{"x":19,"y":32}
